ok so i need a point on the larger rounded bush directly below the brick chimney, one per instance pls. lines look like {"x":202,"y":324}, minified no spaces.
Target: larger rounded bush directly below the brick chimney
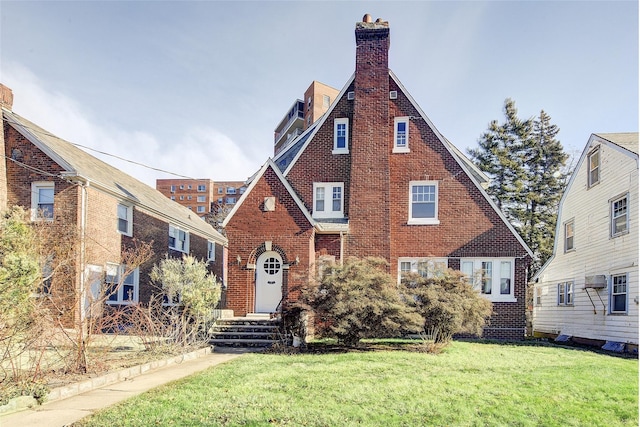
{"x":359,"y":299}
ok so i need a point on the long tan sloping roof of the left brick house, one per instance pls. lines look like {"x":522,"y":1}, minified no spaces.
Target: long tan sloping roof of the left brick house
{"x":79,"y":164}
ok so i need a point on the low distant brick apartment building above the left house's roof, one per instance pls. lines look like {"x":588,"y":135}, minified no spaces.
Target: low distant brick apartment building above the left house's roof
{"x":201,"y":195}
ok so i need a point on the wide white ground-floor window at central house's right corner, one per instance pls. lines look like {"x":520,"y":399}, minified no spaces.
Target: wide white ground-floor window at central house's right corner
{"x":492,"y":277}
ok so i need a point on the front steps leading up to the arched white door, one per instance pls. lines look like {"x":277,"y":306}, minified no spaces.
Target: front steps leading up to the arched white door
{"x":254,"y":330}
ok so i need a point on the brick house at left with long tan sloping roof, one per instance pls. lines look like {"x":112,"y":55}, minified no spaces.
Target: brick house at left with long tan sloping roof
{"x":59,"y":182}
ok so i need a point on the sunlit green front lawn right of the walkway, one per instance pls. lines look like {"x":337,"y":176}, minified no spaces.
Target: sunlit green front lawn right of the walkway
{"x":469,"y":383}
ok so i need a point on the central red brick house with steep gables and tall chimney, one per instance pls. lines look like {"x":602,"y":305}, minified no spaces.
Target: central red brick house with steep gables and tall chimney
{"x":373,"y":177}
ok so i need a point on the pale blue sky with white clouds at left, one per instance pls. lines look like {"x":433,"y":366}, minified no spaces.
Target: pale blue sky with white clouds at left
{"x":197,"y":88}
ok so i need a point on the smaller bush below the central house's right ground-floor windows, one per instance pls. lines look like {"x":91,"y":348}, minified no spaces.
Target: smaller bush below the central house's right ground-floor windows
{"x":448,"y":304}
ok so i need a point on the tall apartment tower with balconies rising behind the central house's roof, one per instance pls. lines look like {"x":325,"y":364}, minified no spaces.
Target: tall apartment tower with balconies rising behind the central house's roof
{"x":317,"y":99}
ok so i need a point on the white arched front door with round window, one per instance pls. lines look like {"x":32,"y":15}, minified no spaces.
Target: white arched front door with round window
{"x":268,"y":282}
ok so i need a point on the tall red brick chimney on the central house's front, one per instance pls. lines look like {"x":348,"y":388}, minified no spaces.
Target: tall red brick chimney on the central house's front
{"x":369,"y":202}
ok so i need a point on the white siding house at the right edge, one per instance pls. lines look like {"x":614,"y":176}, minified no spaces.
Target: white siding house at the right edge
{"x":588,"y":290}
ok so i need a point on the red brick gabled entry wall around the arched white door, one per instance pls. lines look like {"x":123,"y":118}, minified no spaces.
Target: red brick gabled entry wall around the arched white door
{"x":286,"y":227}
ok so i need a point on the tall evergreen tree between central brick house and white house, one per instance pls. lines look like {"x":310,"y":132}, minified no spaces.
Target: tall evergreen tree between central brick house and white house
{"x":525,"y":162}
